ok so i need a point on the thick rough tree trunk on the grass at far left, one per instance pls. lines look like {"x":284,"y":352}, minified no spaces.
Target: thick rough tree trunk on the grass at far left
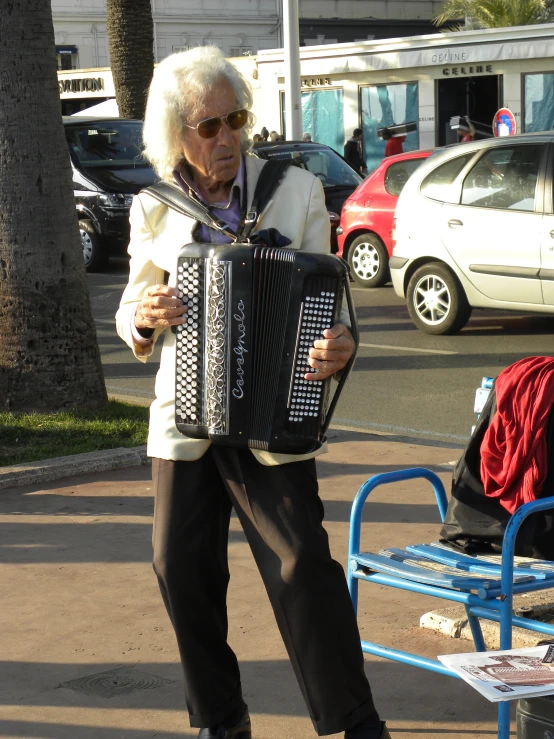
{"x":49,"y":357}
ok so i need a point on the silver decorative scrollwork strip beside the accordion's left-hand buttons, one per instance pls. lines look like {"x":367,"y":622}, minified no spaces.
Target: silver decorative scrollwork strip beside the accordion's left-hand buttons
{"x":217,"y":407}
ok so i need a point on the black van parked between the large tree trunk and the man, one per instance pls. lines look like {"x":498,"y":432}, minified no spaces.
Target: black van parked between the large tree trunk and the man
{"x":108,"y":169}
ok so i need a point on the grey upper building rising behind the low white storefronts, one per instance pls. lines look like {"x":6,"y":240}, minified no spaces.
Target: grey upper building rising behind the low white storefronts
{"x":238,"y":27}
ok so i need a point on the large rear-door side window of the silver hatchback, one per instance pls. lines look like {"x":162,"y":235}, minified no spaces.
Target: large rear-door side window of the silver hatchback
{"x":504,"y":177}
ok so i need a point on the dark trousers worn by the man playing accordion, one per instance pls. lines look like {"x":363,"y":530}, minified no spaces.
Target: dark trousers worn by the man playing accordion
{"x":281,"y":514}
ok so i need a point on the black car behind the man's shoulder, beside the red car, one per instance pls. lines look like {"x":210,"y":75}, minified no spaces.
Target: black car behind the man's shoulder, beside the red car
{"x":337,"y":176}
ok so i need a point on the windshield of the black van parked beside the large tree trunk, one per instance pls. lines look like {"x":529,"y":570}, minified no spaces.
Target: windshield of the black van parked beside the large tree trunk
{"x":106,"y":144}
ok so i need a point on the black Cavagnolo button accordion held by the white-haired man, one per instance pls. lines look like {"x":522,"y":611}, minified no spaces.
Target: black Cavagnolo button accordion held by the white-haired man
{"x":253,"y":315}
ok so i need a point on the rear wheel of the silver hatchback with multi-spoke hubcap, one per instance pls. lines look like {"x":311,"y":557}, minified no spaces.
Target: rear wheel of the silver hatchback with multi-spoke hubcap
{"x":437,"y":302}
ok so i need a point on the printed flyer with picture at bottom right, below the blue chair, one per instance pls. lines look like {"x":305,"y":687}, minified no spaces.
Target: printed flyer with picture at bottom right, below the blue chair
{"x":506,"y":675}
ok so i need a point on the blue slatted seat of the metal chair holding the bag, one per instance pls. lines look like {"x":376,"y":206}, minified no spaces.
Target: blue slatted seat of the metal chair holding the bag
{"x":439,"y":565}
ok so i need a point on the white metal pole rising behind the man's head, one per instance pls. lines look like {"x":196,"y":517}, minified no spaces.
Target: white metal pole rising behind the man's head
{"x":293,"y":106}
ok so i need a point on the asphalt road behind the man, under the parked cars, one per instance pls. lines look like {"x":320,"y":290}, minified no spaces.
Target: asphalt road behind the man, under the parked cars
{"x":404,"y":382}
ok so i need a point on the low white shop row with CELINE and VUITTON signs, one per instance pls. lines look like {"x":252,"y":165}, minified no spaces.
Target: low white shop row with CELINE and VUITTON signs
{"x":422,"y":80}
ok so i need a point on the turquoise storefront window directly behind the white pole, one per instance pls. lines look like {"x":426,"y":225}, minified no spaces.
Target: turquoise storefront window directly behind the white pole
{"x":322,"y":117}
